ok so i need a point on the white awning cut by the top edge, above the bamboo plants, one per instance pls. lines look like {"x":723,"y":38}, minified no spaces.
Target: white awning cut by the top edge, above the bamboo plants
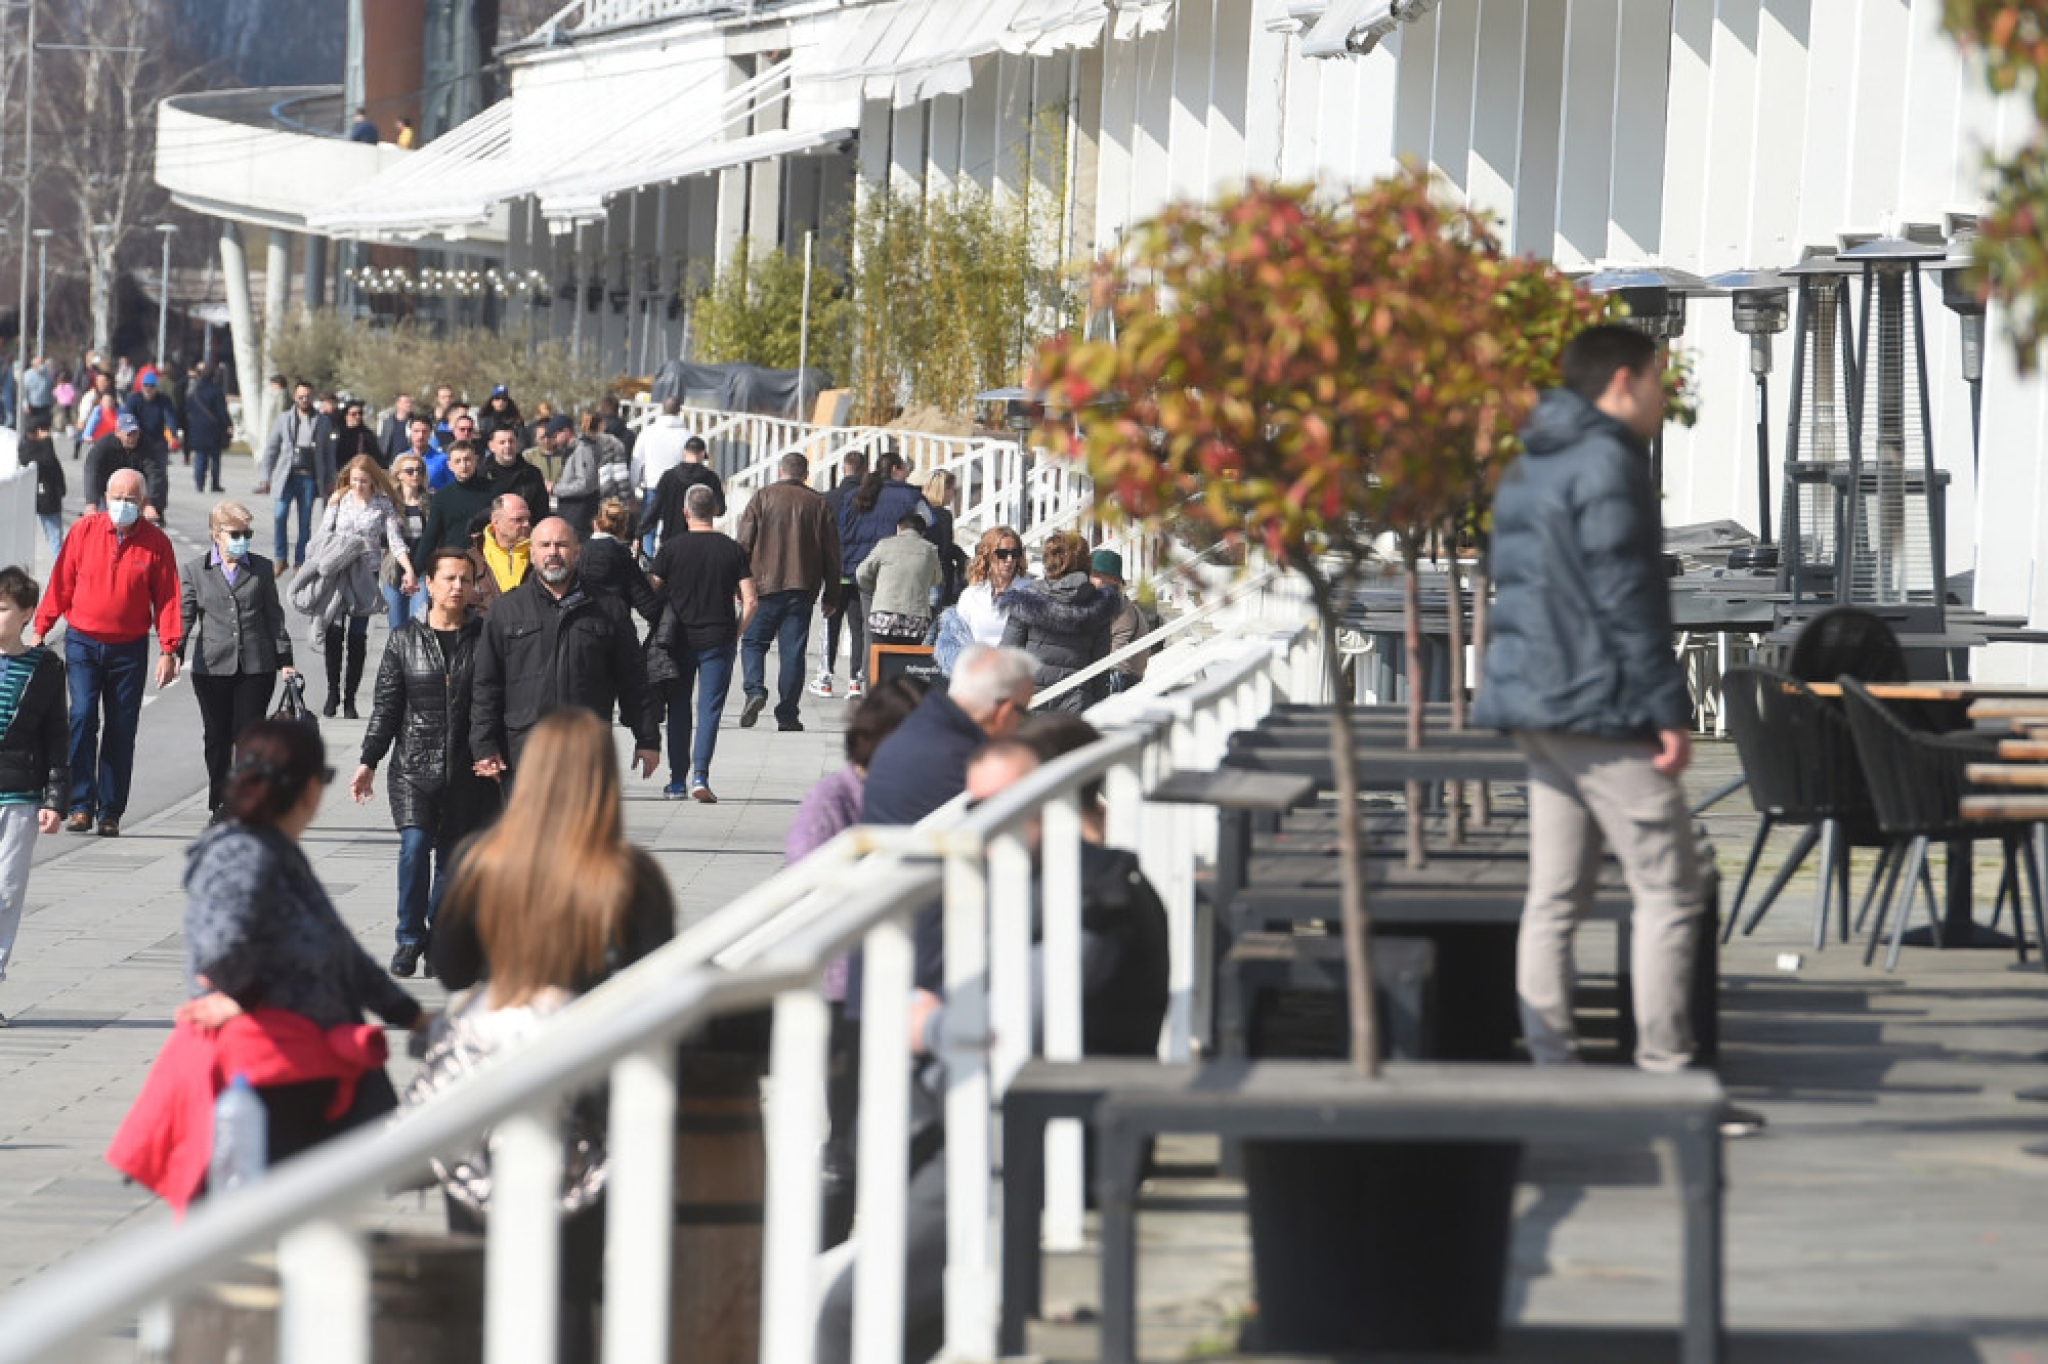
{"x":916,"y":50}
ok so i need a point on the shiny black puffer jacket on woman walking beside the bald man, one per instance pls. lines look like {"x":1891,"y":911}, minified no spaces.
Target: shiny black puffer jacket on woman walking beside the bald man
{"x":421,"y":716}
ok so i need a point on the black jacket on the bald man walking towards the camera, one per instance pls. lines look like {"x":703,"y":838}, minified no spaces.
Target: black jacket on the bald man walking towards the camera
{"x":542,"y":654}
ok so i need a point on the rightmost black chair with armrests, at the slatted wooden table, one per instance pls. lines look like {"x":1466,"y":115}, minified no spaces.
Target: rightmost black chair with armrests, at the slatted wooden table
{"x":1918,"y":783}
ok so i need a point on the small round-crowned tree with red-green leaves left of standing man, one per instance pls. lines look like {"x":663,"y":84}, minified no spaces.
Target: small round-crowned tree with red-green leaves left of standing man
{"x":1312,"y":374}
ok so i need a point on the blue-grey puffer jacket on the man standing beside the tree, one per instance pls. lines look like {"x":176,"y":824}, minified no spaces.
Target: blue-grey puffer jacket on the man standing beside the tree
{"x":1582,"y":611}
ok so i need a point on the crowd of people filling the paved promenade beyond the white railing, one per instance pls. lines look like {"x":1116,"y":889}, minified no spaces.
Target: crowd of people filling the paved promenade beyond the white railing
{"x":544,"y":579}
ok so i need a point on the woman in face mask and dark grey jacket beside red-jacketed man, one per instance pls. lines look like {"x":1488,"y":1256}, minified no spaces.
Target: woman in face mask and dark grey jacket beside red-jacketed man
{"x":234,"y":630}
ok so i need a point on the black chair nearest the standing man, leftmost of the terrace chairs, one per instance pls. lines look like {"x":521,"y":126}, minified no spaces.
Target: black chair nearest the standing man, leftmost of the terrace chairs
{"x":1801,"y":765}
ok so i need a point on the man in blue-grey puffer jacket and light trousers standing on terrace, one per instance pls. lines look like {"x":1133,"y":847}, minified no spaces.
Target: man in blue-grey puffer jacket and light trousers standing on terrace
{"x":1582,"y":673}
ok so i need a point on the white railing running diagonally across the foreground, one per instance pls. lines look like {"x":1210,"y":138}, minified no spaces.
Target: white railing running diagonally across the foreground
{"x":863,"y":890}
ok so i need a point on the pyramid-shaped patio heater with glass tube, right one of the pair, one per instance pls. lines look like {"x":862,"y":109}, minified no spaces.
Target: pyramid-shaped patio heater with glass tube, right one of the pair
{"x":1893,"y":550}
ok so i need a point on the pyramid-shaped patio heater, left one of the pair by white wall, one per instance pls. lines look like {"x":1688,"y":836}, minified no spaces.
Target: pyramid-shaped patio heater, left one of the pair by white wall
{"x":1820,"y":429}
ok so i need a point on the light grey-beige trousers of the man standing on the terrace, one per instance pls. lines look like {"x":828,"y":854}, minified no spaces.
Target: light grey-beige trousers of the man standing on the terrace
{"x":1584,"y":792}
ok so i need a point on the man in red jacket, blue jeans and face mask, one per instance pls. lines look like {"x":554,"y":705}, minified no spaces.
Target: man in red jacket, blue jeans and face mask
{"x":114,"y":579}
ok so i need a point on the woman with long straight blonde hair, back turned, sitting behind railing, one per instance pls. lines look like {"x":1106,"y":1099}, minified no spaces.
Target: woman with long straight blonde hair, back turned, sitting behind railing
{"x":540,"y":908}
